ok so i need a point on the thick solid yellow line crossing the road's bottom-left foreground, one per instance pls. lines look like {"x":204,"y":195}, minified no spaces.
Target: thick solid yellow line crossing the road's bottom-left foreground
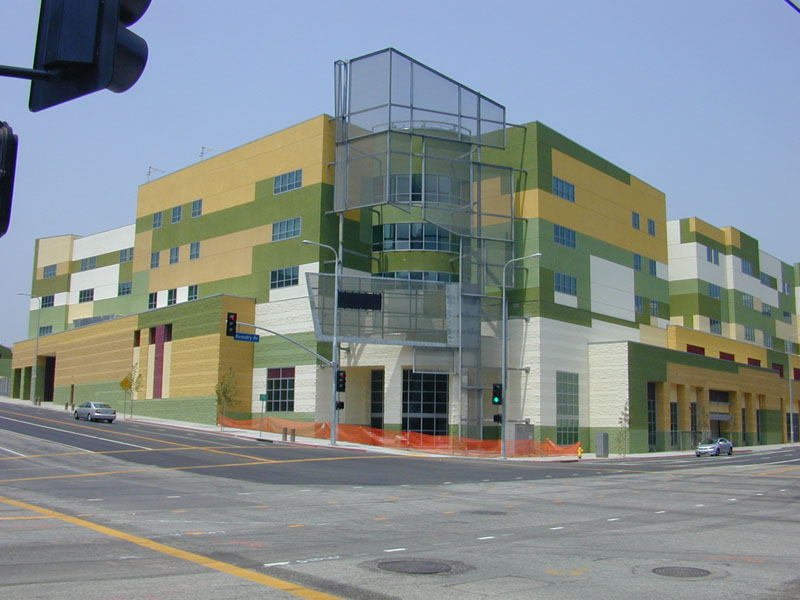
{"x":199,"y":559}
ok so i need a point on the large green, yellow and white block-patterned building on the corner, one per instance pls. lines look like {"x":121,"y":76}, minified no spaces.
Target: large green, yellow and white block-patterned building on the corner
{"x":436,"y":210}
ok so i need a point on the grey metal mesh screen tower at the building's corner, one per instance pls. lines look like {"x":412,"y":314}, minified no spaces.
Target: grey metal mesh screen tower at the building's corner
{"x":411,"y":137}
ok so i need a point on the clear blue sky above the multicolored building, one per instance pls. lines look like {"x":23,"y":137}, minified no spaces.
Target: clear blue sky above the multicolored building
{"x":698,"y":98}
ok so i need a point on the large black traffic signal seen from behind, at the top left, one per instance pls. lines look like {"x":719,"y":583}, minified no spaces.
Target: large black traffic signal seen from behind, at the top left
{"x":86,"y":46}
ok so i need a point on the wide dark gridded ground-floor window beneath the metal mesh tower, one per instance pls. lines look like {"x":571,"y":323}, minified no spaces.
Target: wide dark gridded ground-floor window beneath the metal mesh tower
{"x":425,"y":402}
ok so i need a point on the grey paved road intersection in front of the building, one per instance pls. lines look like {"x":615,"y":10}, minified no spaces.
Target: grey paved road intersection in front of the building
{"x":133,"y":510}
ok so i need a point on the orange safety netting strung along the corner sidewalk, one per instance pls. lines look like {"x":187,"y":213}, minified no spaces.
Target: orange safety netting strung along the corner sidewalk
{"x":437,"y":444}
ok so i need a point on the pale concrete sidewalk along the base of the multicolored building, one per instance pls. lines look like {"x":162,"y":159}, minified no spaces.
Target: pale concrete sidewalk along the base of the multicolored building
{"x":269,"y":437}
